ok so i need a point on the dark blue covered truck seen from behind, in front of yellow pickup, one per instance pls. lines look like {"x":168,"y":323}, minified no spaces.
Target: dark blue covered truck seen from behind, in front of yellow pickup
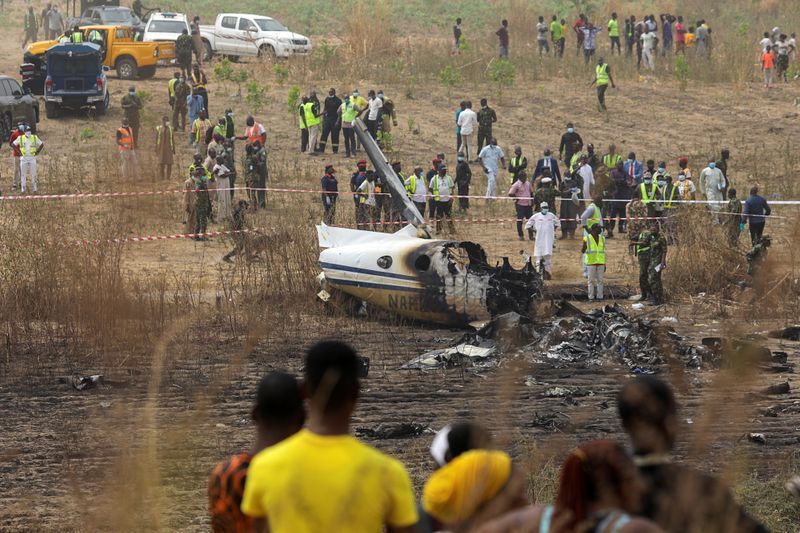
{"x":76,"y":79}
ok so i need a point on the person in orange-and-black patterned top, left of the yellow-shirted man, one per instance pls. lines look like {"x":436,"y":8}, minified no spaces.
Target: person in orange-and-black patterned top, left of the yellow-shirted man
{"x":278,"y":414}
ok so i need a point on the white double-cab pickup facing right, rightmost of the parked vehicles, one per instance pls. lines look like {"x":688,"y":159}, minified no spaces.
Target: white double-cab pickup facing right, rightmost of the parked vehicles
{"x":239,"y":34}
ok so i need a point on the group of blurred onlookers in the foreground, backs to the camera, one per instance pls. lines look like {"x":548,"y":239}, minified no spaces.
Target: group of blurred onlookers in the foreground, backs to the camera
{"x":306,"y":472}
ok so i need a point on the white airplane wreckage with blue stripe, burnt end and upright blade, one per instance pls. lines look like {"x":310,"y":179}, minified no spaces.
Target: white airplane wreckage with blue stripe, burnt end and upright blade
{"x":412,"y":275}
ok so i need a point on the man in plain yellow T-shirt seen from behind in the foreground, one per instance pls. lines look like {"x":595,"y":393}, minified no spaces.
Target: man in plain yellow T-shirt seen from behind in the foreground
{"x":322,"y":478}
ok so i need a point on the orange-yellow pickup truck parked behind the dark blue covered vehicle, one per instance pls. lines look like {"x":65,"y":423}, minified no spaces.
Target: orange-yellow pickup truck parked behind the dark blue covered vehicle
{"x":130,"y":58}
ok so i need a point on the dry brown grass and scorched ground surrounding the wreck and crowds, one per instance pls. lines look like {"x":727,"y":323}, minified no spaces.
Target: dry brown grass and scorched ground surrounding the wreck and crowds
{"x":181,"y":338}
